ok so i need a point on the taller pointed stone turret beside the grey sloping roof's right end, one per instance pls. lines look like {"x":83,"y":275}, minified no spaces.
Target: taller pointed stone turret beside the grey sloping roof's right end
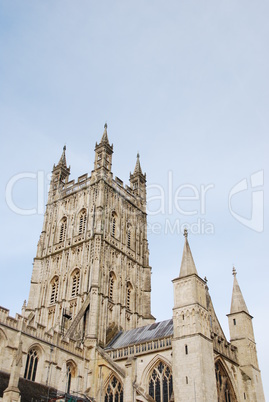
{"x":193,"y":358}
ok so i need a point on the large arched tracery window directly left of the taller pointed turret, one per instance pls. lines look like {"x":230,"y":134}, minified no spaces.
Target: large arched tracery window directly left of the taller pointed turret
{"x":161,"y":383}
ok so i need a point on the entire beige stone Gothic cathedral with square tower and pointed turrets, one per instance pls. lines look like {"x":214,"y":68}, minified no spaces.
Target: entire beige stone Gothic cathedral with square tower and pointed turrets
{"x":86,"y":332}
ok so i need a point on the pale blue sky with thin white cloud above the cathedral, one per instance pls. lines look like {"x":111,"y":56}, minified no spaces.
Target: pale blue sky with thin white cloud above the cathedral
{"x":185,"y":84}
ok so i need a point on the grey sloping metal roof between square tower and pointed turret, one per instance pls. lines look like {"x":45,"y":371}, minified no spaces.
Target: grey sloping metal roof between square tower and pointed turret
{"x":142,"y":334}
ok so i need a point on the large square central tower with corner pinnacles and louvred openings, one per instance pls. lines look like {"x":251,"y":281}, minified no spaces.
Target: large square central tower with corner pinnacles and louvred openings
{"x":91,"y":275}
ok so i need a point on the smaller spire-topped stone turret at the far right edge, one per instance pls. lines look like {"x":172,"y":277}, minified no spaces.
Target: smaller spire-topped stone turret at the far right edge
{"x":242,"y":336}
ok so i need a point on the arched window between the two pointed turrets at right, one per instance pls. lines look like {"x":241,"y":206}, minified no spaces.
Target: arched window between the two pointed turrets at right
{"x":224,"y":385}
